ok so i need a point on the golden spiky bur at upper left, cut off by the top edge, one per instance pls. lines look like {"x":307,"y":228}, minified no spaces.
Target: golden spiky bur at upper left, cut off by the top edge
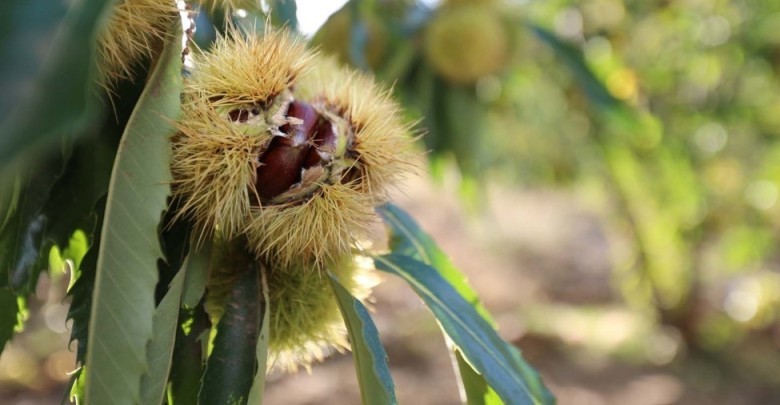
{"x":131,"y":33}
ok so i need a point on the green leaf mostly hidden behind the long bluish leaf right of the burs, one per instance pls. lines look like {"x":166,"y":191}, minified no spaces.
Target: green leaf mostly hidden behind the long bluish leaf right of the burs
{"x":408,"y":239}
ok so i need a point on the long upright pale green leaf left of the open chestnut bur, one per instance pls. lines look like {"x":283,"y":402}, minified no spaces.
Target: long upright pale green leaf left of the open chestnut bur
{"x":123,"y":300}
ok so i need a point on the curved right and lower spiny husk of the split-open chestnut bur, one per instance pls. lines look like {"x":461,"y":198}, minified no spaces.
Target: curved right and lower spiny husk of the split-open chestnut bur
{"x":335,"y":217}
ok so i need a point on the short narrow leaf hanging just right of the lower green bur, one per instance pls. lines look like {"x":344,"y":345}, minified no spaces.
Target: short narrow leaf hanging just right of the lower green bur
{"x":376,"y":383}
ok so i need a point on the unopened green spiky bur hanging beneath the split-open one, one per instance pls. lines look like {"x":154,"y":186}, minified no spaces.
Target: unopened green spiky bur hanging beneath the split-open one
{"x":305,"y":320}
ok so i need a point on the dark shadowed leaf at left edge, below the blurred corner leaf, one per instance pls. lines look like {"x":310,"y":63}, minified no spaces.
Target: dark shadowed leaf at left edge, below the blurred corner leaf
{"x":50,"y":201}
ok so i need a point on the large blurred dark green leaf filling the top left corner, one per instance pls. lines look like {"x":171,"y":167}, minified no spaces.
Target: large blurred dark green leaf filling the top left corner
{"x":46,"y":92}
